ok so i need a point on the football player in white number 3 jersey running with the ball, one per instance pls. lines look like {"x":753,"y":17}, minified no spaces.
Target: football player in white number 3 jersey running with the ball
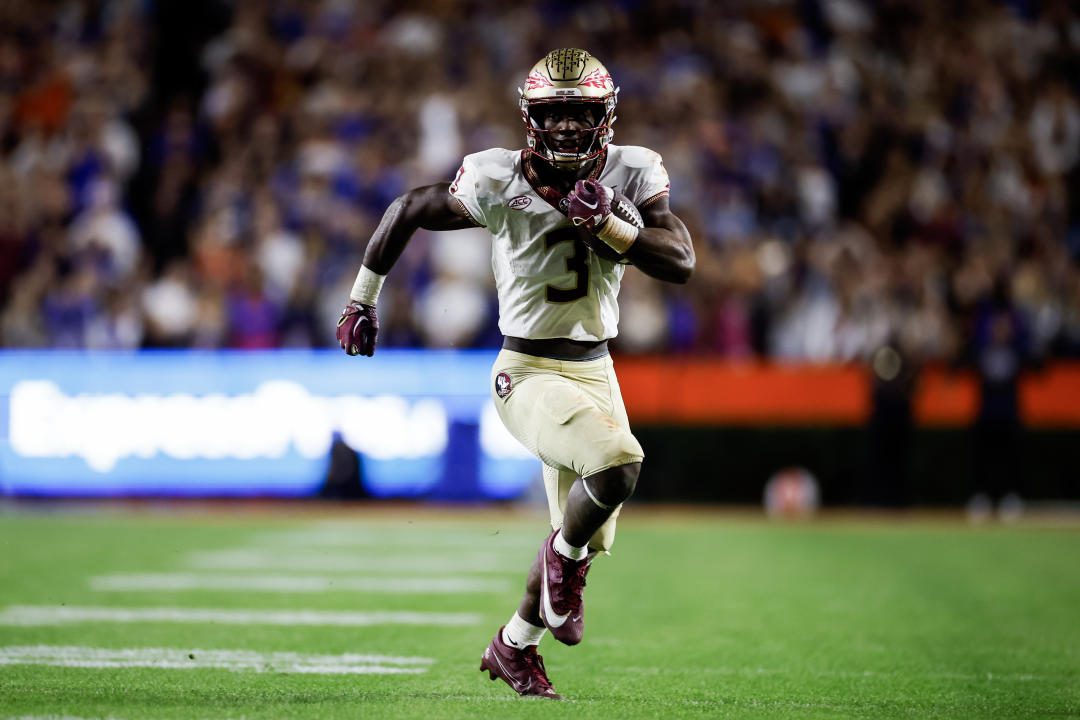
{"x":566,"y":215}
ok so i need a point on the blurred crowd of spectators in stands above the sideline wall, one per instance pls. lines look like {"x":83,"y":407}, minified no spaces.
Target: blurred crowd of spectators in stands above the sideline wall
{"x":855,"y":174}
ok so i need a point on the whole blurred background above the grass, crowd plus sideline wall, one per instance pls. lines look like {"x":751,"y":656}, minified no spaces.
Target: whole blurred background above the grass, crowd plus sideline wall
{"x":885,"y":199}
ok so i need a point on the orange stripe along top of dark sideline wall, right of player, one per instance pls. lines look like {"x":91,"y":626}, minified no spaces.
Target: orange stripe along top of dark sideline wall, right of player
{"x":704,"y":392}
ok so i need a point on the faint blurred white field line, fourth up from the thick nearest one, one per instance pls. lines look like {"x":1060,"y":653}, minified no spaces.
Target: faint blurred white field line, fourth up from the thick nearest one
{"x":267,"y":560}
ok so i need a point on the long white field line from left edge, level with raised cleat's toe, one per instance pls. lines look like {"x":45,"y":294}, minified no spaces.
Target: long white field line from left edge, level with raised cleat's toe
{"x":34,"y":616}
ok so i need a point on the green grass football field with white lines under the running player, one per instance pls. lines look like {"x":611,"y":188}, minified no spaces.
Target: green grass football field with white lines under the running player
{"x":383,"y":613}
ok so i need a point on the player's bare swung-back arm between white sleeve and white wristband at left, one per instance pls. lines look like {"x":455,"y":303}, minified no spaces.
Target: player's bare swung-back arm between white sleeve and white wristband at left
{"x":431,"y":208}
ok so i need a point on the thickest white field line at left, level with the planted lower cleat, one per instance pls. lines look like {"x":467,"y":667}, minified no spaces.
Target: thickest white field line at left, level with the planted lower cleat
{"x":237,"y":661}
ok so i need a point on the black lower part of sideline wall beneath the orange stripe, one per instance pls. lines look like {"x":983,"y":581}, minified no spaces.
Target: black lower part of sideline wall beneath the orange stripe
{"x":732,"y":465}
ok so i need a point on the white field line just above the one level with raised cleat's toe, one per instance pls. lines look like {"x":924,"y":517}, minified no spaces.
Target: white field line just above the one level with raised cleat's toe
{"x":190,"y":581}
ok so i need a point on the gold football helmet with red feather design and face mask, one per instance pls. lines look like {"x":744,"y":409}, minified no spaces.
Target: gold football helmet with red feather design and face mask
{"x":569,"y":76}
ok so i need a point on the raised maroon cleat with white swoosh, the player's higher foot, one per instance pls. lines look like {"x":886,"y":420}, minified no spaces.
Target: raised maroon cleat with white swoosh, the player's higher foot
{"x":562,"y":585}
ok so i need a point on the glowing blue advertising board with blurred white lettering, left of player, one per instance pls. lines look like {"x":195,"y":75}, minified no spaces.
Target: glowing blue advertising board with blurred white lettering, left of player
{"x":253,"y":424}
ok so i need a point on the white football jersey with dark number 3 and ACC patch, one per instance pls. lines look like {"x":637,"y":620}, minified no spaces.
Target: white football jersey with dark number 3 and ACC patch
{"x":550,"y":284}
